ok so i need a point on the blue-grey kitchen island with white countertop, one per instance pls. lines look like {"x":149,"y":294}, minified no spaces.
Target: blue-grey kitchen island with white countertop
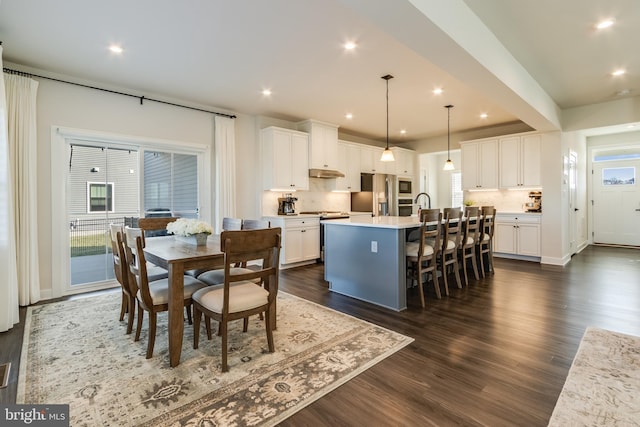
{"x":365,"y":258}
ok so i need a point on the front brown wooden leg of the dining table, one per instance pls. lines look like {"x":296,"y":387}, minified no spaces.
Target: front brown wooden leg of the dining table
{"x":176,"y":306}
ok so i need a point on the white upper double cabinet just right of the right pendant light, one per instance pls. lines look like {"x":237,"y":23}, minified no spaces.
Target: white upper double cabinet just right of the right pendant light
{"x":479,"y":164}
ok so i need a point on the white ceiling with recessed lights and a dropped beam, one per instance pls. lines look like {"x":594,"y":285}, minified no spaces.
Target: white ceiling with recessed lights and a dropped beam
{"x":514,"y":60}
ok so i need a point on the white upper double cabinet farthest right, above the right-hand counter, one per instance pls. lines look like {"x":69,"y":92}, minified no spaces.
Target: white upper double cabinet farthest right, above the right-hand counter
{"x":520,"y":161}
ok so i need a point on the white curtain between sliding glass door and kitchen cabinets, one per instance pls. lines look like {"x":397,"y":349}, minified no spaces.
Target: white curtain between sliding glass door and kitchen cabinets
{"x":225,"y":170}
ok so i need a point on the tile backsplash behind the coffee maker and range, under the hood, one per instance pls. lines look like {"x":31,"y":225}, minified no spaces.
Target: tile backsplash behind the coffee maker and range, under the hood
{"x":318,"y":198}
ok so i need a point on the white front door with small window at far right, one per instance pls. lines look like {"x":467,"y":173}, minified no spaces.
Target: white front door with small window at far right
{"x":616,"y":202}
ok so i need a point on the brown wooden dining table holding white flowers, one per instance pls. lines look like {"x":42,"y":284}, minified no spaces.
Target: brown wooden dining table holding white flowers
{"x":177,"y":257}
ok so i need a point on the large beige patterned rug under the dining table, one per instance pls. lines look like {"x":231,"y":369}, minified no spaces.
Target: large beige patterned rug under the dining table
{"x":76,"y":352}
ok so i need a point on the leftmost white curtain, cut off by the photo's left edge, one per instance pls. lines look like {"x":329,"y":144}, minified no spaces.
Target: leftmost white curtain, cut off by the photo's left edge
{"x":9,"y":315}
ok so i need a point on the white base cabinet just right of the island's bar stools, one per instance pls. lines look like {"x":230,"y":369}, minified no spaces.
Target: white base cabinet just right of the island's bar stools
{"x":517,"y":234}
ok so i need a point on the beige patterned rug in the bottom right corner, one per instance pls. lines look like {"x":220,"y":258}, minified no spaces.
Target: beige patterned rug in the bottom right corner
{"x":603,"y":385}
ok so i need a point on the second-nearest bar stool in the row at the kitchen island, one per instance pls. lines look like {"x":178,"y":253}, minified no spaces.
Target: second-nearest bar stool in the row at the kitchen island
{"x":451,"y":238}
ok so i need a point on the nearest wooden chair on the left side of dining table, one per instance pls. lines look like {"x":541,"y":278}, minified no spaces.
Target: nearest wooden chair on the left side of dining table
{"x":152,"y":296}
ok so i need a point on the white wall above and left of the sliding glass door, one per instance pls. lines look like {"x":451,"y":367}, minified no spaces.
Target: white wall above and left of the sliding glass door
{"x":65,"y":105}
